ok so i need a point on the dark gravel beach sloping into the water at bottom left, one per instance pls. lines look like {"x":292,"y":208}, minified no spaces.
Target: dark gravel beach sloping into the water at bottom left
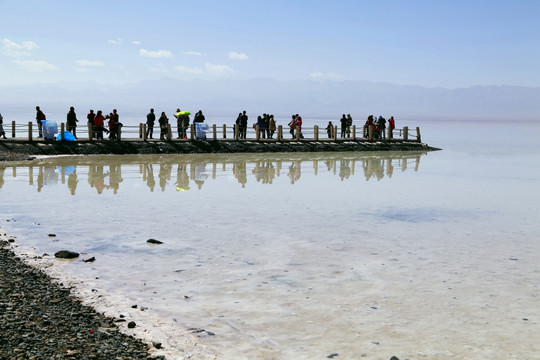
{"x":41,"y":320}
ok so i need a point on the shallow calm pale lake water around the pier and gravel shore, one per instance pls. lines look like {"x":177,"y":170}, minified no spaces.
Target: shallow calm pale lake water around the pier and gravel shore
{"x":303,"y":255}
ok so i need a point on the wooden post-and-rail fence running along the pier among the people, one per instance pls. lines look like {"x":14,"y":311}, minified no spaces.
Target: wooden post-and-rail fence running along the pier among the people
{"x":29,"y":132}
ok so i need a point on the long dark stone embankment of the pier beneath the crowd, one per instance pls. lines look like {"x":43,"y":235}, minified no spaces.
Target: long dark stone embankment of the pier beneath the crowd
{"x":26,"y":150}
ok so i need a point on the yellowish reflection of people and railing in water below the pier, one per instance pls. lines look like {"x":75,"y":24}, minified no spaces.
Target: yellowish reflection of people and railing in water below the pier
{"x":188,"y":172}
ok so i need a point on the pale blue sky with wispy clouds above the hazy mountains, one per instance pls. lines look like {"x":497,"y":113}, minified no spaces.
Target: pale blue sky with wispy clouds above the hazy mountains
{"x":452,"y":43}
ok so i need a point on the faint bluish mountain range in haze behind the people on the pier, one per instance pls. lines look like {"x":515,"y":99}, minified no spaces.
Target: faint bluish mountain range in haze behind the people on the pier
{"x":282,"y":98}
